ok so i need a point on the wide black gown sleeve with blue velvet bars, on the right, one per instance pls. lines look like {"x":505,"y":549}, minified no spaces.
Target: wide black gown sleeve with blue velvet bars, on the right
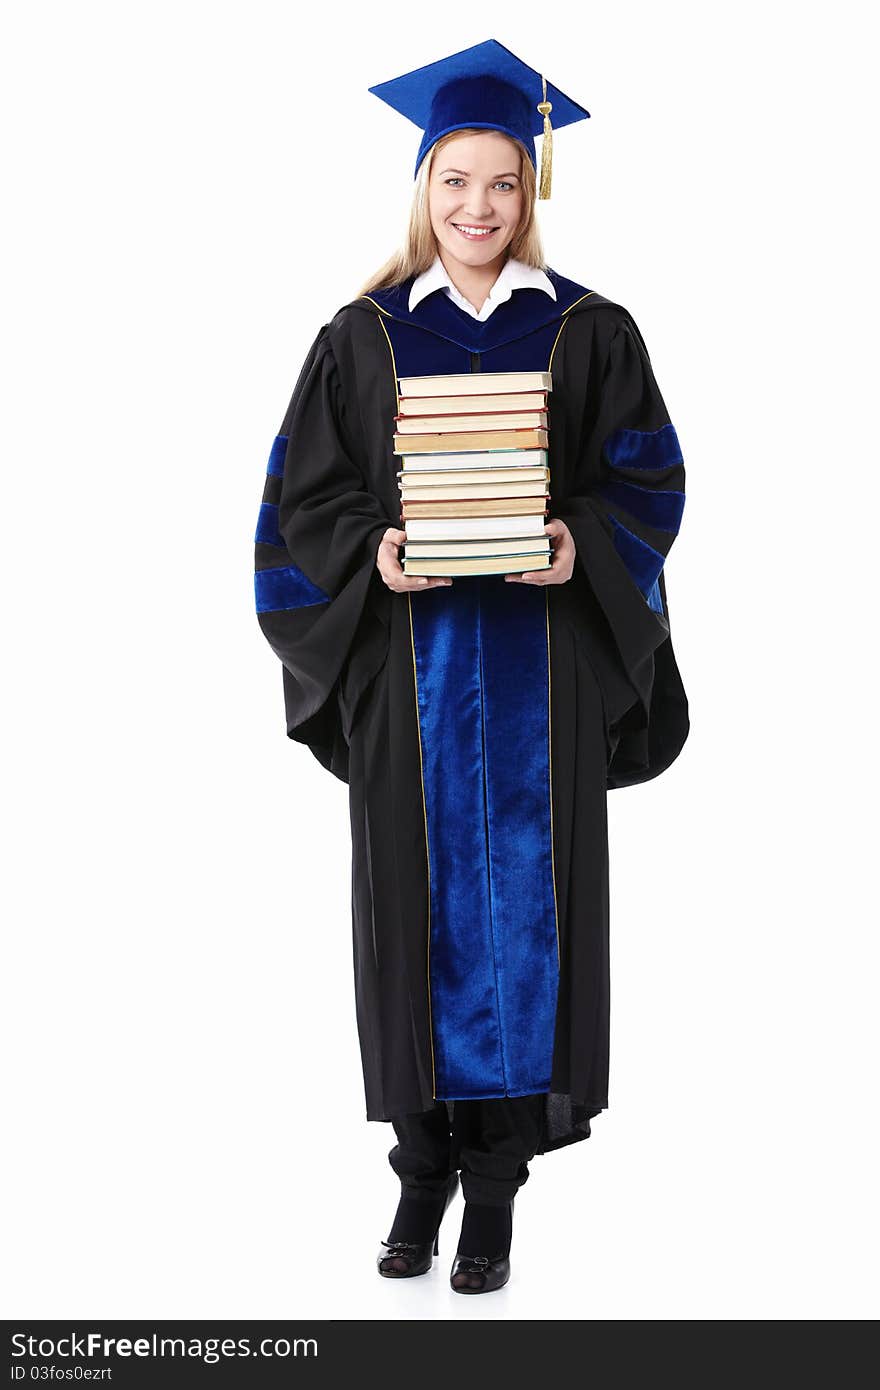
{"x":625,"y":512}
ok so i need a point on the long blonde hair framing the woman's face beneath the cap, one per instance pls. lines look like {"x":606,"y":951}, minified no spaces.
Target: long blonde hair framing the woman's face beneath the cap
{"x":419,"y":248}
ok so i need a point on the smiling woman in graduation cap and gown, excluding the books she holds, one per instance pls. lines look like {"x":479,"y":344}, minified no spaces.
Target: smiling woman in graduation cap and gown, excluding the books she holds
{"x":479,"y":728}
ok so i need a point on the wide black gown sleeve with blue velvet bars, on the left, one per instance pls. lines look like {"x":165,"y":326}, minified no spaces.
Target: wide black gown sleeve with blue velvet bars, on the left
{"x":316,"y":543}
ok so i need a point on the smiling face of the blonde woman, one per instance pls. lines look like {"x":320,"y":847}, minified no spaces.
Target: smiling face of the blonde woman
{"x":476,"y":197}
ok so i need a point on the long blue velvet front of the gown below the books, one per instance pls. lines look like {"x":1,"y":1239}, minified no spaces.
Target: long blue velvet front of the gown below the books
{"x":482,"y":673}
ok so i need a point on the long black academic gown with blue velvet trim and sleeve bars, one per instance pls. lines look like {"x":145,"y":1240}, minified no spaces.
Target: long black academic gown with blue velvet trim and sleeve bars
{"x":479,"y":726}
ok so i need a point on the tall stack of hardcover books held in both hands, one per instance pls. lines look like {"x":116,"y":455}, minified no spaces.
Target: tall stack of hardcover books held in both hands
{"x":475,"y":477}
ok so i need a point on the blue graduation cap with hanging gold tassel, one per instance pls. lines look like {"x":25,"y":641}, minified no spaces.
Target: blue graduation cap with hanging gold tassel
{"x":489,"y":88}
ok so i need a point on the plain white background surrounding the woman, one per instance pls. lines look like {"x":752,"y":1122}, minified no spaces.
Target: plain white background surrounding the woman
{"x":193,"y":191}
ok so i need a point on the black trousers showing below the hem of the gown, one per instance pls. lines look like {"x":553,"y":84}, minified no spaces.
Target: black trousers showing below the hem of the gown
{"x":489,"y":1142}
